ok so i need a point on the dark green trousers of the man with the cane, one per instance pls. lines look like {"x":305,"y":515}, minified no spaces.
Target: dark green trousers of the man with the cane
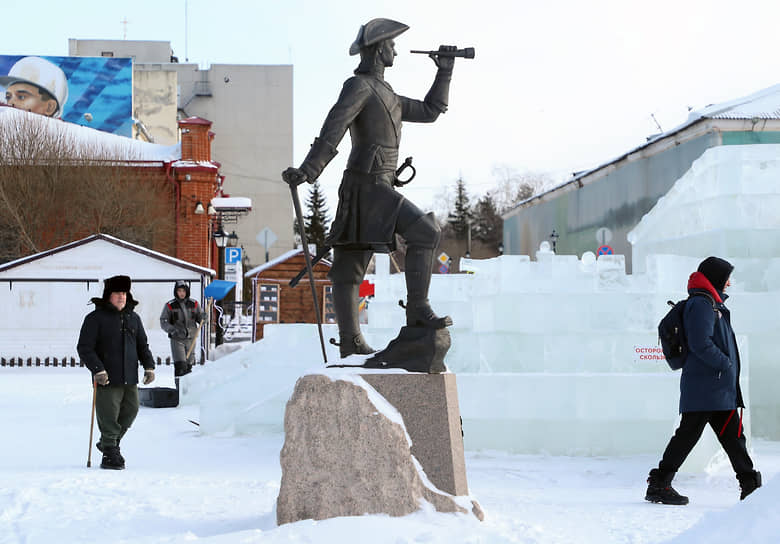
{"x":116,"y":407}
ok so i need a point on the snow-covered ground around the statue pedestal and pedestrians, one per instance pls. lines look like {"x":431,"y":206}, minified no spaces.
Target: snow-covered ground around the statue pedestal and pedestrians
{"x":181,"y":486}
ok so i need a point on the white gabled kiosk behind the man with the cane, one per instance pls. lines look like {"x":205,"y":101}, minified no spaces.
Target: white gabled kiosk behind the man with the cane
{"x":46,"y":296}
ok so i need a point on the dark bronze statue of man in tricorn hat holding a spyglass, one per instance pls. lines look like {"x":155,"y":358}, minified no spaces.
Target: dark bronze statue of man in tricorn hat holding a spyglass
{"x":370,"y":211}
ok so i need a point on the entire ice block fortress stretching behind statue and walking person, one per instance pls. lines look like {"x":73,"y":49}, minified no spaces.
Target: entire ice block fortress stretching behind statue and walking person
{"x":556,"y":354}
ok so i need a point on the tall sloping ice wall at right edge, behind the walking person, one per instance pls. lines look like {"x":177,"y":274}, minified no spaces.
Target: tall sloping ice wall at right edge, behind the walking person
{"x":727,"y":204}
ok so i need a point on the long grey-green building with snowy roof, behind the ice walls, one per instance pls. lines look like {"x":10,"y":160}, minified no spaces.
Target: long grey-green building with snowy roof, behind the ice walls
{"x":597,"y":208}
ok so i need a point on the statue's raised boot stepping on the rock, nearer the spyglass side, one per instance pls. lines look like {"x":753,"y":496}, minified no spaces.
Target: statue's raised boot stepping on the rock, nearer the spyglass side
{"x":419,"y":265}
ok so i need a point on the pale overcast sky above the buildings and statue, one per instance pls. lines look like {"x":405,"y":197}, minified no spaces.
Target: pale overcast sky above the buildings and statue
{"x":556,"y":86}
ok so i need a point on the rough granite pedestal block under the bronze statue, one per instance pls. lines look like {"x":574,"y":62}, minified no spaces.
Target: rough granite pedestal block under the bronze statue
{"x":347,"y":453}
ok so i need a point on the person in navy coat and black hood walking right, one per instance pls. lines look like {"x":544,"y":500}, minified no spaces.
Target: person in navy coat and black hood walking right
{"x":709,"y":386}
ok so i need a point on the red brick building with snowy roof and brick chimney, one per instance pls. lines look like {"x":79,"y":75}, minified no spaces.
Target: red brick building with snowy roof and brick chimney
{"x":188,"y":181}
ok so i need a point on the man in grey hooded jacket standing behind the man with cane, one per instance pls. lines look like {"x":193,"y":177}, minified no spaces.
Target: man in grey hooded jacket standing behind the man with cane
{"x":180,"y":318}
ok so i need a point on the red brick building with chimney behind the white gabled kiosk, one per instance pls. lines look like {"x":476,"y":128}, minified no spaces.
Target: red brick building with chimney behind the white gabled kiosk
{"x":183,"y":178}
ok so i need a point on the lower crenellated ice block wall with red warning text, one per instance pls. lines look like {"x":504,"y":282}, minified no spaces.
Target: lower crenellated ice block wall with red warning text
{"x":557,"y":354}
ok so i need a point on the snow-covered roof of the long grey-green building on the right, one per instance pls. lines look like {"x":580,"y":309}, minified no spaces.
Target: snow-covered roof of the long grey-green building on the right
{"x":764,"y":104}
